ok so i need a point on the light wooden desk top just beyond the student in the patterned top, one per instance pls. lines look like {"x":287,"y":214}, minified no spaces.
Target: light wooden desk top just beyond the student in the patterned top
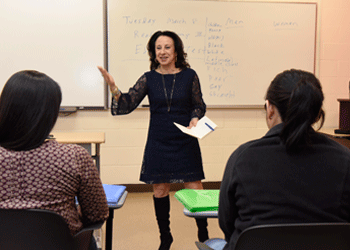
{"x":79,"y":137}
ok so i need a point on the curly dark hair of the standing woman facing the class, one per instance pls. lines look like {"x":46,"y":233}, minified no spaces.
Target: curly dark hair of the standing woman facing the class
{"x":180,"y":63}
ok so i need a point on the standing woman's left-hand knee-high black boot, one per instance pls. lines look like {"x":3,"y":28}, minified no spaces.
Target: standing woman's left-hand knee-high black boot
{"x":162,"y":209}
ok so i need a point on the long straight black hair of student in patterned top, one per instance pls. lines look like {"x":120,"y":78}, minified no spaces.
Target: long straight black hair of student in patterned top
{"x":29,"y":107}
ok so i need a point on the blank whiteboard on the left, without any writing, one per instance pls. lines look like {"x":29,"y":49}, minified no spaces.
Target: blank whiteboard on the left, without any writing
{"x":64,"y":39}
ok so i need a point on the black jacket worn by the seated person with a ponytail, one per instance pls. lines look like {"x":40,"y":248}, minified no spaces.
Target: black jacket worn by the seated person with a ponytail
{"x":263,"y":184}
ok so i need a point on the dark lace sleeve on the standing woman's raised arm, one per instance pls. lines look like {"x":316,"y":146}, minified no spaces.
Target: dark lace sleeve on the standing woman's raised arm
{"x":129,"y":101}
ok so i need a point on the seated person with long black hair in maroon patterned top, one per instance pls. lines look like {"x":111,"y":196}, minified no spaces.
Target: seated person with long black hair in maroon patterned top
{"x":36,"y":173}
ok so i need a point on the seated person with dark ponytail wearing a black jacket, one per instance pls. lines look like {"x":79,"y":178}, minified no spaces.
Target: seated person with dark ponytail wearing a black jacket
{"x":291,"y":175}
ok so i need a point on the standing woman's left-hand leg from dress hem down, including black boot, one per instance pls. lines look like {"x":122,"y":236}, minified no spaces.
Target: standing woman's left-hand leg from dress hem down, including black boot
{"x":162,"y":210}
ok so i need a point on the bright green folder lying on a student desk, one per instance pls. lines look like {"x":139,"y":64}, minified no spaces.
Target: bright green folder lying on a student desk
{"x":199,"y":200}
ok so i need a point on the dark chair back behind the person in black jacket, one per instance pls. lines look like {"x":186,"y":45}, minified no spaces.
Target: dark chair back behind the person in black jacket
{"x":313,"y":236}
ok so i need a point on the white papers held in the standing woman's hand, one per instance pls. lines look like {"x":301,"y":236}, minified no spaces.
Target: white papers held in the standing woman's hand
{"x":204,"y":127}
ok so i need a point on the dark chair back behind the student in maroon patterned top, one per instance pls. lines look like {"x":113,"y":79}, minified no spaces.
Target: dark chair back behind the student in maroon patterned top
{"x":36,"y":229}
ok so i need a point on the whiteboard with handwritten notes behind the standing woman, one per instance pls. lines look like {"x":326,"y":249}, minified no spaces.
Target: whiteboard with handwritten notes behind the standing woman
{"x":236,"y":48}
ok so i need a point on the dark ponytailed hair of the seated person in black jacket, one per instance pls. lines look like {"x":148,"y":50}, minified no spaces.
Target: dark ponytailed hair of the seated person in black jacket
{"x":298,"y":97}
